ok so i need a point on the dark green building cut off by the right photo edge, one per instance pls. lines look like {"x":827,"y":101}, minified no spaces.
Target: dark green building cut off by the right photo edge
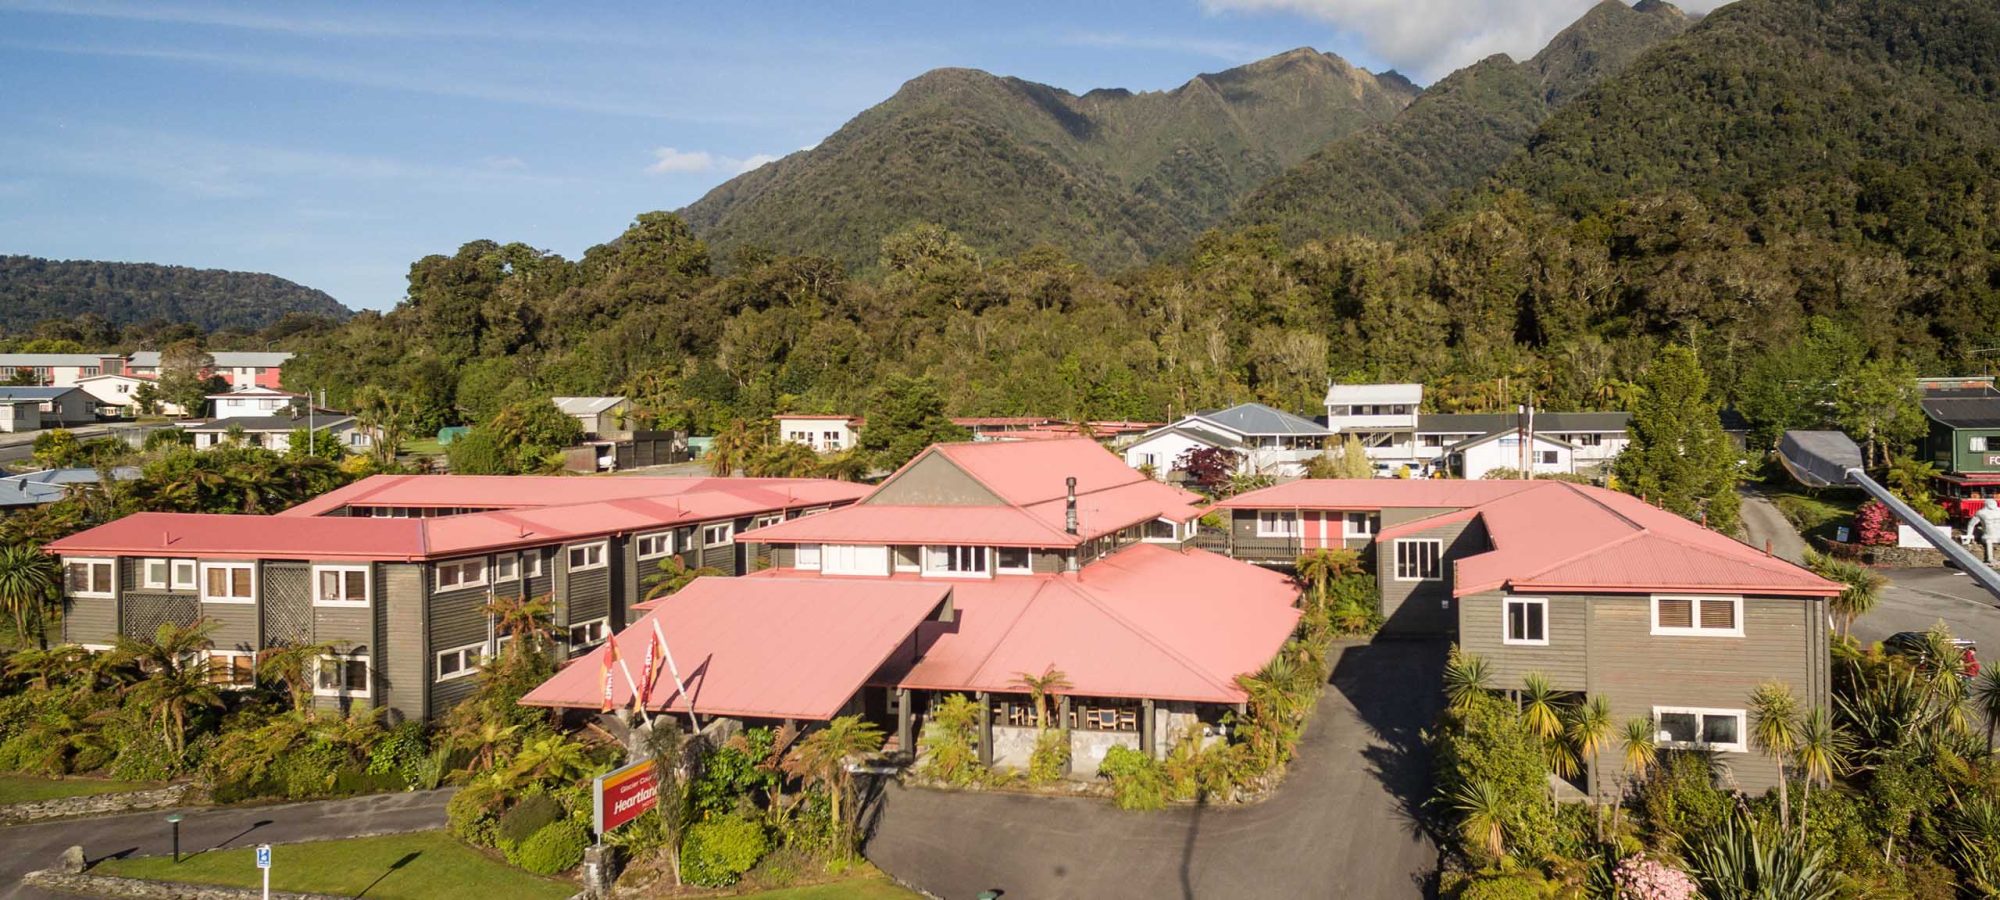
{"x":1963,"y":441}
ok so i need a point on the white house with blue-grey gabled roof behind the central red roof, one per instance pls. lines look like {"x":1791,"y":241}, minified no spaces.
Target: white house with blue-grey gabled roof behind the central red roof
{"x":1265,"y":441}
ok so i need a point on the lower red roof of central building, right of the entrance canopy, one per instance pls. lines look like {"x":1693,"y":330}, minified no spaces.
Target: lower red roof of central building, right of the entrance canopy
{"x":1143,"y":623}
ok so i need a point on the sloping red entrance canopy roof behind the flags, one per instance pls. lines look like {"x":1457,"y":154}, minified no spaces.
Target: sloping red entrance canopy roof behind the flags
{"x":759,"y":647}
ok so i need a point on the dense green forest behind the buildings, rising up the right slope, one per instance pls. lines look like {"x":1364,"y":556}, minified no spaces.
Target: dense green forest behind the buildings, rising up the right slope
{"x":1881,"y":245}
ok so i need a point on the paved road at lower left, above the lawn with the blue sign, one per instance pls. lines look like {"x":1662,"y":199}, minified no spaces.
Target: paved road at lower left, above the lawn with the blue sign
{"x":31,"y":847}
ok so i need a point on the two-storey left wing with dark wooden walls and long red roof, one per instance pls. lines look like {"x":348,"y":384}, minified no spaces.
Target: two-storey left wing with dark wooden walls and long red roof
{"x":399,"y":571}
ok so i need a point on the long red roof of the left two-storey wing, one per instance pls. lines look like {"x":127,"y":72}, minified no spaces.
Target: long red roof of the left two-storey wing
{"x":531,"y":511}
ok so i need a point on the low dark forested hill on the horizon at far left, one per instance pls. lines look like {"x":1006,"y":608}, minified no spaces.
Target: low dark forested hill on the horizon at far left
{"x":131,"y":293}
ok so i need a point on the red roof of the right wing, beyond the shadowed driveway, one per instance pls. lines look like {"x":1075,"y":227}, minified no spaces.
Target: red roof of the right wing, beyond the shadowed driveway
{"x":1561,"y":537}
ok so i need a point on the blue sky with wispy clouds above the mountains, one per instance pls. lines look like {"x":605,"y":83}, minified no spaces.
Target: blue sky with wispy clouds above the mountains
{"x":339,"y":143}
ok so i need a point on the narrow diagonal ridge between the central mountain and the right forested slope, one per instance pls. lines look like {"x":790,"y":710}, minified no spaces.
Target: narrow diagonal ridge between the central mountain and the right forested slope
{"x":1383,"y":181}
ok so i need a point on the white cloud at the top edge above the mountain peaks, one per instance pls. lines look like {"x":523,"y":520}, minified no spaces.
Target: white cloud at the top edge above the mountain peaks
{"x":1429,"y":39}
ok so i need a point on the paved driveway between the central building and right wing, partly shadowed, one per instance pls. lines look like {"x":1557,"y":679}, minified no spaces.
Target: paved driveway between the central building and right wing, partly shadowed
{"x":1341,"y":825}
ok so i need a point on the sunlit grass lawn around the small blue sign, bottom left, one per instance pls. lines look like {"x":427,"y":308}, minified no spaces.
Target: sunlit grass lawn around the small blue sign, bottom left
{"x":429,"y":865}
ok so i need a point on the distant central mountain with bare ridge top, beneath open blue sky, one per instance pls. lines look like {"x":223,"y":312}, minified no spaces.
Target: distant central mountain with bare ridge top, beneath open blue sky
{"x":1111,"y":177}
